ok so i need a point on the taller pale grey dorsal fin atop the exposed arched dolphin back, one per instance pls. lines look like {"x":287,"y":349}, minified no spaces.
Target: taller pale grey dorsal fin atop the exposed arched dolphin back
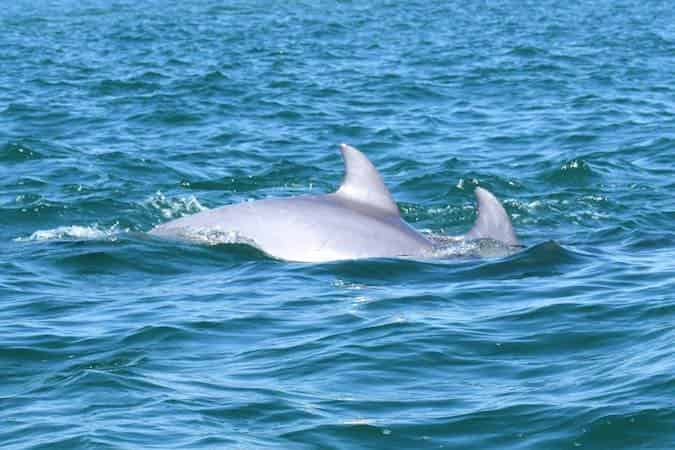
{"x":363,"y":184}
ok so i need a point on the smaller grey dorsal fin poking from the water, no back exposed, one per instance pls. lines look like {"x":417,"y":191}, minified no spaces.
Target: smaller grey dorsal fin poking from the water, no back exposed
{"x":493,"y":222}
